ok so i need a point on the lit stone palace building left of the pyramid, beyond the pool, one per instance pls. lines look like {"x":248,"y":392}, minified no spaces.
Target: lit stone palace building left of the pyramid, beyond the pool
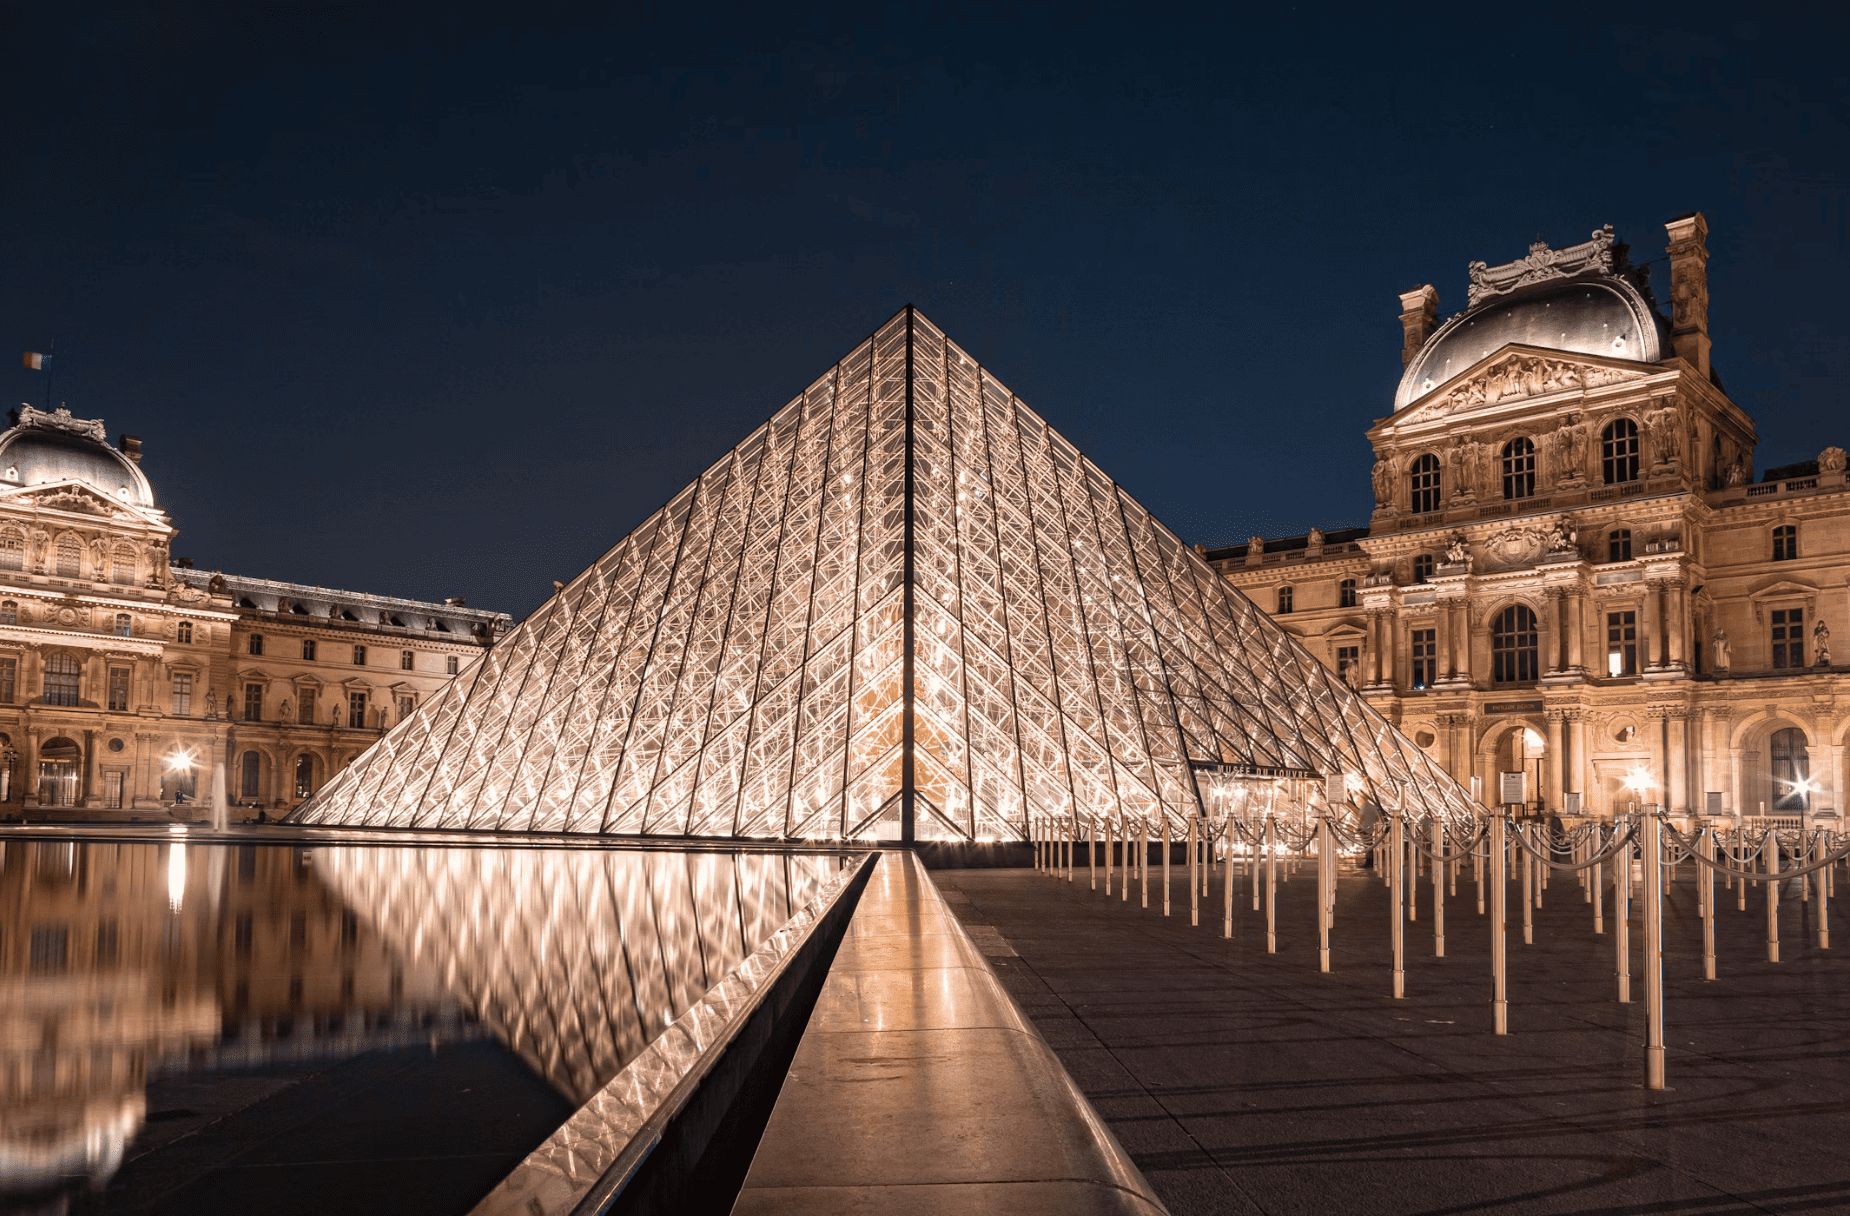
{"x":129,"y":678}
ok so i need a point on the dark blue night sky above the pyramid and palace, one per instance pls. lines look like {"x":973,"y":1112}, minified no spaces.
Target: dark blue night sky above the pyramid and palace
{"x":445,"y":301}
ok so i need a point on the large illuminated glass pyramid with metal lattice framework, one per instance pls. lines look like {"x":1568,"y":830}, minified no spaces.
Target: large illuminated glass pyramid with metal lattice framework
{"x":902,"y":608}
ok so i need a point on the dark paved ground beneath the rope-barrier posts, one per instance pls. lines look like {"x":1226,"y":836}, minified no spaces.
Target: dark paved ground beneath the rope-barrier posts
{"x":1244,"y":1082}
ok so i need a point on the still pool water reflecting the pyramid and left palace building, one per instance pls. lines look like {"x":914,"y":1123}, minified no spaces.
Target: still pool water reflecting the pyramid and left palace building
{"x":199,"y":1028}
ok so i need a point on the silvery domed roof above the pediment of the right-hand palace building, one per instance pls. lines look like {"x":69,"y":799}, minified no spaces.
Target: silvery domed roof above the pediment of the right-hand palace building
{"x":1599,"y":316}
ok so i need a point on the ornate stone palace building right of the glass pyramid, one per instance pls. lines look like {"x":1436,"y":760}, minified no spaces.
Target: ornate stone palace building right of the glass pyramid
{"x":1573,"y":569}
